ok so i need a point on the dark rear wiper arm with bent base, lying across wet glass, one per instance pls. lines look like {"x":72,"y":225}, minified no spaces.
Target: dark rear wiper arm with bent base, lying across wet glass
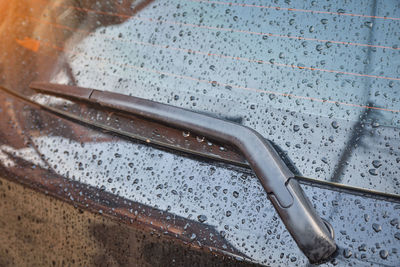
{"x":297,"y":213}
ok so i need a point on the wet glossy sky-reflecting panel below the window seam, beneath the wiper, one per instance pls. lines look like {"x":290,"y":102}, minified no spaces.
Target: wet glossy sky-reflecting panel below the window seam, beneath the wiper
{"x":223,"y":207}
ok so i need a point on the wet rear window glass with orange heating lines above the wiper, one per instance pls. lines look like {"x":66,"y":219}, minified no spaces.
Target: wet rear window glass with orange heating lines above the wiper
{"x":320,"y":79}
